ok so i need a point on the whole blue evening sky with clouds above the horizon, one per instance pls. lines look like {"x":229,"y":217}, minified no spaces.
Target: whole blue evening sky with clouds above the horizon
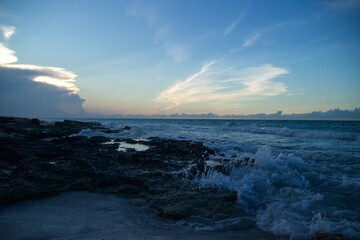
{"x":77,"y":57}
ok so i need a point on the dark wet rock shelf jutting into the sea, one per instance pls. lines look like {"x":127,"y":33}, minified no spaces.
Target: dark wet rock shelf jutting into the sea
{"x":39,"y":159}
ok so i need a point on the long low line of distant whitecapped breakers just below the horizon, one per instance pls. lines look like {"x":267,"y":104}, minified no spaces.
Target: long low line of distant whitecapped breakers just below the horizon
{"x":212,"y":132}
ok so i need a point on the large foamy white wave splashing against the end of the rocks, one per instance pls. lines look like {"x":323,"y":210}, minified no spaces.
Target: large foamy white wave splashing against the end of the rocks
{"x":276,"y":192}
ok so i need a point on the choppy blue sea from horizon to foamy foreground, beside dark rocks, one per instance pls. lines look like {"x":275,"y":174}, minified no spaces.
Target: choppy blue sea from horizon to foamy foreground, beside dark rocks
{"x":305,"y":178}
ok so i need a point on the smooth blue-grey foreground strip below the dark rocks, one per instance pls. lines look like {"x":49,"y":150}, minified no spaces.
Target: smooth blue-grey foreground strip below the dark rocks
{"x":84,"y":215}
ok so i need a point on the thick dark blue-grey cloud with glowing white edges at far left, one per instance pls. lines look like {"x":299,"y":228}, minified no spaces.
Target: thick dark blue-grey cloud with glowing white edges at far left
{"x":35,"y":91}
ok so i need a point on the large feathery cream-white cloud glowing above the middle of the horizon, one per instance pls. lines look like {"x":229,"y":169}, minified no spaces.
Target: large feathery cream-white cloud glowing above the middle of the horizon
{"x":216,"y":83}
